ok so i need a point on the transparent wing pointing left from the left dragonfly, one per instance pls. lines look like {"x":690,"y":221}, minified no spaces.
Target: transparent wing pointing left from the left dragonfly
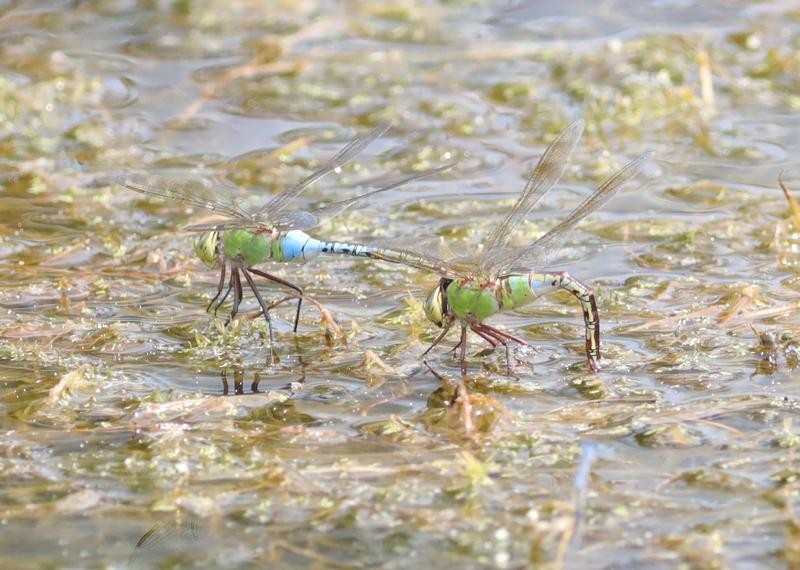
{"x":185,"y":191}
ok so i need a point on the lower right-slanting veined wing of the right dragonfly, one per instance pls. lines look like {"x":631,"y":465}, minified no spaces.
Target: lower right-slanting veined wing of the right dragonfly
{"x":522,"y":259}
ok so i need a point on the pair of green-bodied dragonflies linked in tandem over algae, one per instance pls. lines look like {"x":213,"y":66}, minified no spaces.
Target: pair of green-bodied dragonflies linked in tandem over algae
{"x":470,"y":289}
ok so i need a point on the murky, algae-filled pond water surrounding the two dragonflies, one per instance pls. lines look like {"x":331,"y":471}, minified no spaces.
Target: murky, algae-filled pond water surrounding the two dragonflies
{"x":138,"y":431}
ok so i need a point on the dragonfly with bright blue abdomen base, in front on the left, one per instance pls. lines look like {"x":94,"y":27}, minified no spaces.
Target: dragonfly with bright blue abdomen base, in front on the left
{"x":246,"y":237}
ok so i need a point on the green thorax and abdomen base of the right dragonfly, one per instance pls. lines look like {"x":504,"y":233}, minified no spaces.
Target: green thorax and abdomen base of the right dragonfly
{"x":483,"y":299}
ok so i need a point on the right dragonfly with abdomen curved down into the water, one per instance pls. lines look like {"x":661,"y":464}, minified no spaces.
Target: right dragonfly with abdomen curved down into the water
{"x":500,"y":277}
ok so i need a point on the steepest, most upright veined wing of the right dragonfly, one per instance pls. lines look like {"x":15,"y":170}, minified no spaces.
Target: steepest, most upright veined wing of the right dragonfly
{"x":547,"y":172}
